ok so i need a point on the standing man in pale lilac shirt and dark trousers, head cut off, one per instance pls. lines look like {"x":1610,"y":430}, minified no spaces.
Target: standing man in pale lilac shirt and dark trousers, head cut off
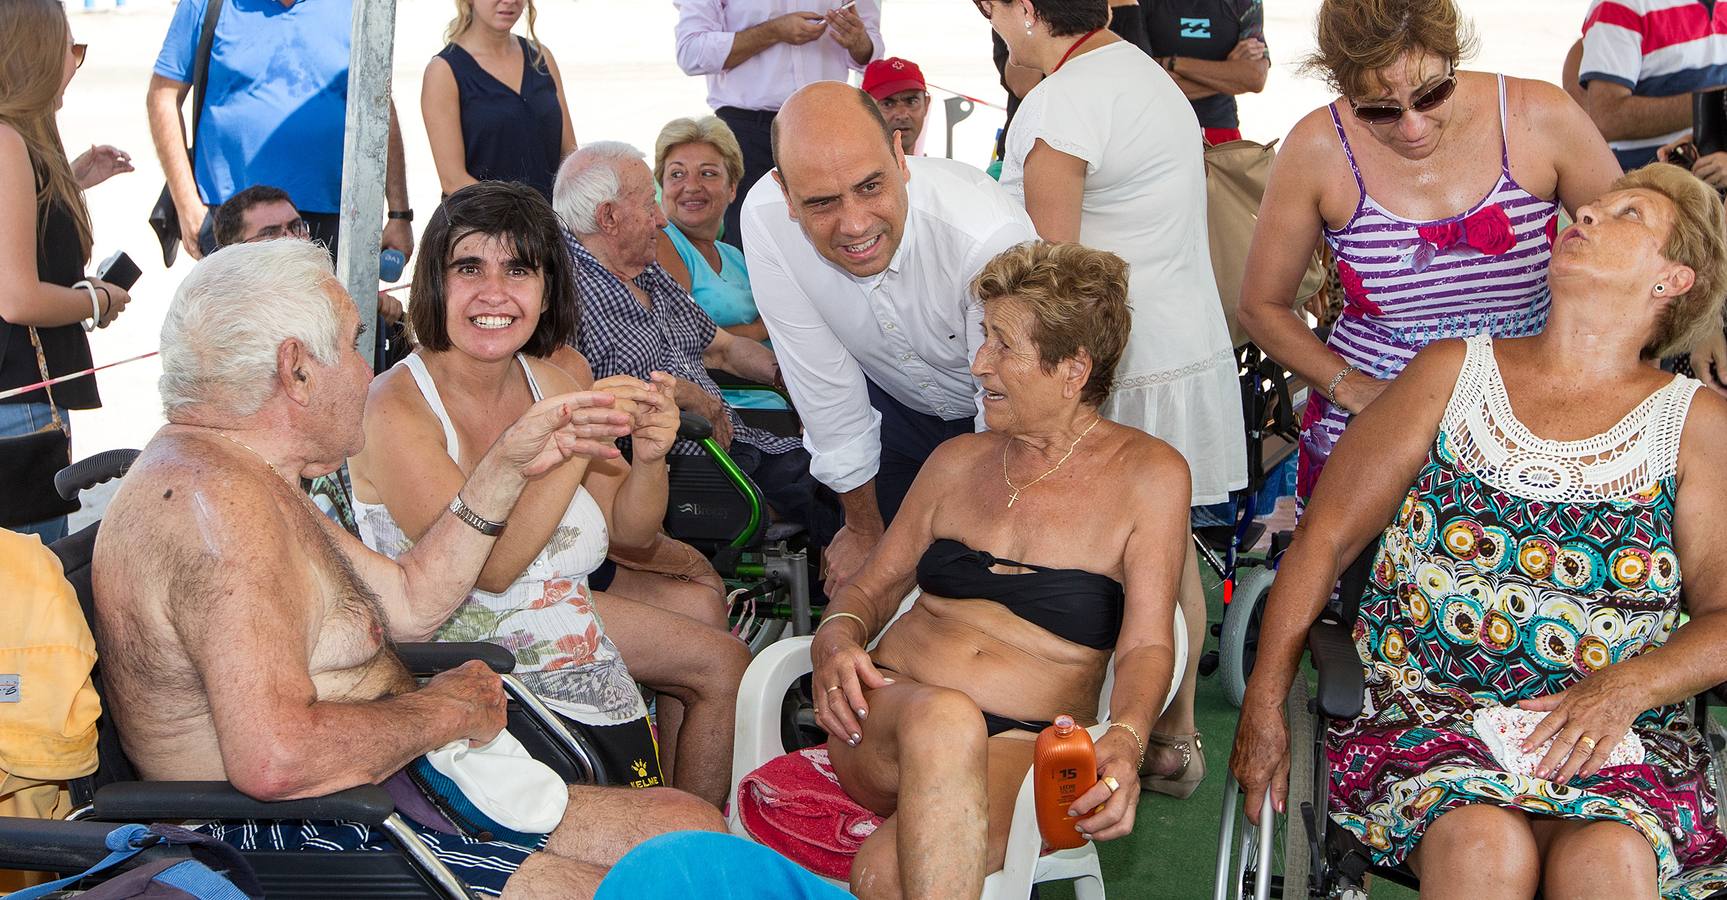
{"x":756,"y":53}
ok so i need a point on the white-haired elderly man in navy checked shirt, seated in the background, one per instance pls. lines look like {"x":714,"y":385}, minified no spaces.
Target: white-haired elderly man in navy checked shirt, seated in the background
{"x":638,"y":320}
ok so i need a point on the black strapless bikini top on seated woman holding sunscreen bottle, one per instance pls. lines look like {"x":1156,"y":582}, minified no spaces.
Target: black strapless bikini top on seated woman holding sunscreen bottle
{"x":1072,"y":604}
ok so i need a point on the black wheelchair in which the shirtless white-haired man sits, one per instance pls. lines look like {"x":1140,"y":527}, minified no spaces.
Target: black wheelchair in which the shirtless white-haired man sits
{"x":113,"y":794}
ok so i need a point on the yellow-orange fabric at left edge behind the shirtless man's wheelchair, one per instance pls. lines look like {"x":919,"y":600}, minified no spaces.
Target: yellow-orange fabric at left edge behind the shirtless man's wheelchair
{"x":51,"y":732}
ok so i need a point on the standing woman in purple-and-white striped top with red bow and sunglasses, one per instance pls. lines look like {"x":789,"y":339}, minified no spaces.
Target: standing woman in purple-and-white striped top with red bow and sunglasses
{"x":1438,"y":193}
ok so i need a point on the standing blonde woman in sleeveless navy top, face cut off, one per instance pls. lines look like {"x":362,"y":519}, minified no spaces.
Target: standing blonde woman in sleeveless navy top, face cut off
{"x":493,"y":101}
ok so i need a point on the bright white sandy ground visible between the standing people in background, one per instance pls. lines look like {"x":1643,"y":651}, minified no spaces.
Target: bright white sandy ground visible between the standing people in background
{"x":623,"y":82}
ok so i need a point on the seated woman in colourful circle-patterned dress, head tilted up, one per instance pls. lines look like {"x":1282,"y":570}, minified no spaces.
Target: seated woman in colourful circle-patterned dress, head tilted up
{"x":1543,"y":519}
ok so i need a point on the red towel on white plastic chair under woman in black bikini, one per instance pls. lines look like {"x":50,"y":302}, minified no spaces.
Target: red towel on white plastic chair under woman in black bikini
{"x":797,"y":808}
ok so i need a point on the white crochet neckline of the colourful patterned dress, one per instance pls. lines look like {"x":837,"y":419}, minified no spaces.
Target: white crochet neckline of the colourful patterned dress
{"x":1491,"y":443}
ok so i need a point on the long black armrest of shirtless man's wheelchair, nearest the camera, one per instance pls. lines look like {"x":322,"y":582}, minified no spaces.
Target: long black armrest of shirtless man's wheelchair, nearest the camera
{"x":170,"y":801}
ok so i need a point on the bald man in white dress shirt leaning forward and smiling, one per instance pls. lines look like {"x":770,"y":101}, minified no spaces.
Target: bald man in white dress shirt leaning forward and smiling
{"x":861,"y":265}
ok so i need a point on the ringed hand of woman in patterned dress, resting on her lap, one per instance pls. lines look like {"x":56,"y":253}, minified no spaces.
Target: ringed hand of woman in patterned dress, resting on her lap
{"x":1585,"y":723}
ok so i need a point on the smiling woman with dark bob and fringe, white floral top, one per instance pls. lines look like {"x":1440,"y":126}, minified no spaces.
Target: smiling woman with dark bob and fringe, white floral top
{"x":493,"y":301}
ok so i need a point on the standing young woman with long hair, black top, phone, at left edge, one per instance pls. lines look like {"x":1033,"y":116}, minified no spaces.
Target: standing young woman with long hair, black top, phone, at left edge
{"x":46,"y":236}
